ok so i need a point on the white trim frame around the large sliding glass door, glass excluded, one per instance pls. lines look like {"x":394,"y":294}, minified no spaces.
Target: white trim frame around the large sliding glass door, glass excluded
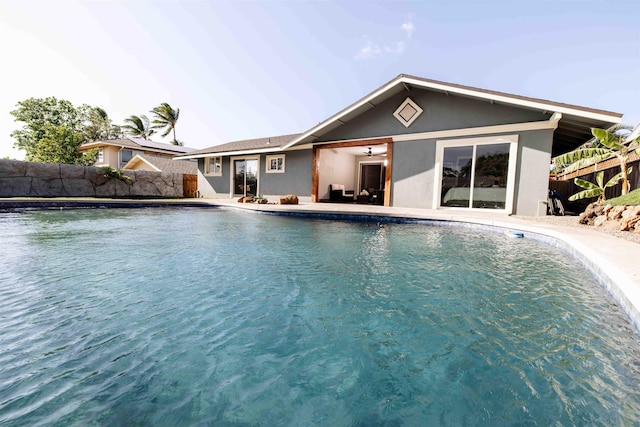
{"x":511,"y":173}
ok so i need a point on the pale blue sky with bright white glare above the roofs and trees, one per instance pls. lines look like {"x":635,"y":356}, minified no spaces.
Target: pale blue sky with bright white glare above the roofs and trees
{"x":245,"y":69}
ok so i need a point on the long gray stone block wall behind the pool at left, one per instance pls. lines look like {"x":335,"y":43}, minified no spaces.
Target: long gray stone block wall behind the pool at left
{"x":29,"y":179}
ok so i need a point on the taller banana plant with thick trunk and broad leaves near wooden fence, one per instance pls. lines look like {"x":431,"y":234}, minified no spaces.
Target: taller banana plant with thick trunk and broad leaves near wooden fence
{"x":606,"y":145}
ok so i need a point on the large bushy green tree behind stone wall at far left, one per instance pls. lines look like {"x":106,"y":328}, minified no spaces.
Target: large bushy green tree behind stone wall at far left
{"x":52,"y":130}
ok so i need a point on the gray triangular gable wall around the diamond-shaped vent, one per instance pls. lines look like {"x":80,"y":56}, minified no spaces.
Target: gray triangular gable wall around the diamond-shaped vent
{"x":441,"y":112}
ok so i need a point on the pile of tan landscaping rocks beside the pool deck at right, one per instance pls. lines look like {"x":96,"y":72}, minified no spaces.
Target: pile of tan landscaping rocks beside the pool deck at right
{"x":623,"y":218}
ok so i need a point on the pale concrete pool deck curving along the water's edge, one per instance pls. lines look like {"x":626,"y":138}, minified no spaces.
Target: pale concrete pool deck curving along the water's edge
{"x":613,"y":260}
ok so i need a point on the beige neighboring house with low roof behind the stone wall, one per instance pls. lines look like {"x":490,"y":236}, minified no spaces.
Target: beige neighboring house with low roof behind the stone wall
{"x":117,"y":152}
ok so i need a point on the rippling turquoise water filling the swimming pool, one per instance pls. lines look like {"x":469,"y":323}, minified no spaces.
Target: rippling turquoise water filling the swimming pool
{"x":210,"y":317}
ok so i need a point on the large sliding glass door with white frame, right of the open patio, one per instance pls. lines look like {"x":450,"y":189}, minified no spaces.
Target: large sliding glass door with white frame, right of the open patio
{"x":476,"y":173}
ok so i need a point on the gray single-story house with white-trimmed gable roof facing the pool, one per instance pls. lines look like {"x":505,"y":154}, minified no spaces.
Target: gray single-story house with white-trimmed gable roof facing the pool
{"x":414,"y":143}
